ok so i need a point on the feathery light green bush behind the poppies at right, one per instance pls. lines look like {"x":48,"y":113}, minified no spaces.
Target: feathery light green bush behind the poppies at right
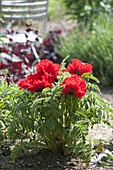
{"x":95,"y":47}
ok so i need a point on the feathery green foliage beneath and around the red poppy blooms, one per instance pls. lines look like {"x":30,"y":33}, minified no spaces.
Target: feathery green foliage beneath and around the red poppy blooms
{"x":48,"y":119}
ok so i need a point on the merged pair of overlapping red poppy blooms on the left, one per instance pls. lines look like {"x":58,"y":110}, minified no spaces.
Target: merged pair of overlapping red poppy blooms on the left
{"x":46,"y":73}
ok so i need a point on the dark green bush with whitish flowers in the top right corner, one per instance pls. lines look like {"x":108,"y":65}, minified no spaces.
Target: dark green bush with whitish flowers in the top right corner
{"x":88,"y":10}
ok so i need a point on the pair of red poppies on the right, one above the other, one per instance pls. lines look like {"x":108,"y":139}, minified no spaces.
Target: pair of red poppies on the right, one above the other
{"x":76,"y":84}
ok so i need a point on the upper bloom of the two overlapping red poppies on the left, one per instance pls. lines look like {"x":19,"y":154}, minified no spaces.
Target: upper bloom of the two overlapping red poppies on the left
{"x":48,"y":68}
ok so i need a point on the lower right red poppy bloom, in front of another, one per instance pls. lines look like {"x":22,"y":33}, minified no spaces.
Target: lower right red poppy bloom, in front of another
{"x":75,"y":85}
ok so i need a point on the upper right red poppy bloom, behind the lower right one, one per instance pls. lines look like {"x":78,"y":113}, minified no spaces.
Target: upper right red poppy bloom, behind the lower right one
{"x":78,"y":67}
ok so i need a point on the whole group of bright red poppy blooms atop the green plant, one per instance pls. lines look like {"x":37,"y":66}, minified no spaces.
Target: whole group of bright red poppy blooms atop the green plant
{"x":47,"y":72}
